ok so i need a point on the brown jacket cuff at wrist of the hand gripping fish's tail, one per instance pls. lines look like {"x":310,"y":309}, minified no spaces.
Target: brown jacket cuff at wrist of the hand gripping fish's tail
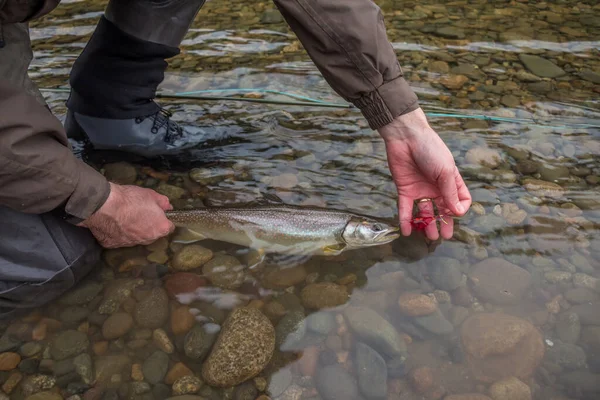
{"x":91,"y":191}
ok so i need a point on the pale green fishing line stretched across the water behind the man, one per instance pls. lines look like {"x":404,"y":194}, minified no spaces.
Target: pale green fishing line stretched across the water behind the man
{"x":308,"y":101}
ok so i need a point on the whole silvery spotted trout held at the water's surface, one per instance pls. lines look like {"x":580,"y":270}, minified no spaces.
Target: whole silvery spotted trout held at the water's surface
{"x":286,"y":229}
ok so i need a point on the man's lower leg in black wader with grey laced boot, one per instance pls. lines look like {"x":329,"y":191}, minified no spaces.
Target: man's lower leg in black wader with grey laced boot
{"x":114,"y":80}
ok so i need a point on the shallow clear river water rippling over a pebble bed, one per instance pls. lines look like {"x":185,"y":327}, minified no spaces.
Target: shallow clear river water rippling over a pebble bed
{"x":508,"y":309}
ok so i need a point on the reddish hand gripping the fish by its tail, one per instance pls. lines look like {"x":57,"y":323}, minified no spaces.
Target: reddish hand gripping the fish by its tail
{"x":130,"y":216}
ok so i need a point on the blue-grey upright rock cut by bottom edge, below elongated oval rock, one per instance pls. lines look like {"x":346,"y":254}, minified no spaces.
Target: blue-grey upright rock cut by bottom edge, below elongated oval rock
{"x":372,"y":372}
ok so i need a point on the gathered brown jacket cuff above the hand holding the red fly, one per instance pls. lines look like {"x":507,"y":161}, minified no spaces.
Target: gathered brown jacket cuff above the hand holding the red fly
{"x":388,"y":101}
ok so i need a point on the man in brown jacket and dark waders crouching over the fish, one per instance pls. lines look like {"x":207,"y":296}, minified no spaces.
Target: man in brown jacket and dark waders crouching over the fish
{"x":55,"y":209}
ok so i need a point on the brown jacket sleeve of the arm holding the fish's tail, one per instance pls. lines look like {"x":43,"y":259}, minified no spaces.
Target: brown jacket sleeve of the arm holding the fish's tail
{"x":38,"y":171}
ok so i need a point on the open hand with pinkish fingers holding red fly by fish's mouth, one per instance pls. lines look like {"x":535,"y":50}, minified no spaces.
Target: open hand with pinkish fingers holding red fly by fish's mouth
{"x":423,"y":167}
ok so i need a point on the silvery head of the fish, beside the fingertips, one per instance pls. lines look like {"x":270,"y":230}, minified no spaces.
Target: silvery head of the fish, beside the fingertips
{"x":365,"y":232}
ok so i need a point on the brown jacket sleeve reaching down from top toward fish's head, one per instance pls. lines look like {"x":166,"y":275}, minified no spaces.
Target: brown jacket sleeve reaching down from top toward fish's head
{"x":347,"y":41}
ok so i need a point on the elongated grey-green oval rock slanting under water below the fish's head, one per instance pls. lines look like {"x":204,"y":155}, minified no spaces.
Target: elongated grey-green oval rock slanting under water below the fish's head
{"x":375,"y":331}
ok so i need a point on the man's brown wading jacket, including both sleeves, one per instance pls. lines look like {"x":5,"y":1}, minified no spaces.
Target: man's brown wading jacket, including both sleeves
{"x":346,"y":39}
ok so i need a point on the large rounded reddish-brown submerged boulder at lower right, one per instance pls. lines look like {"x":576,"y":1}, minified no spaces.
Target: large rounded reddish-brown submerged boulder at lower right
{"x":499,"y":346}
